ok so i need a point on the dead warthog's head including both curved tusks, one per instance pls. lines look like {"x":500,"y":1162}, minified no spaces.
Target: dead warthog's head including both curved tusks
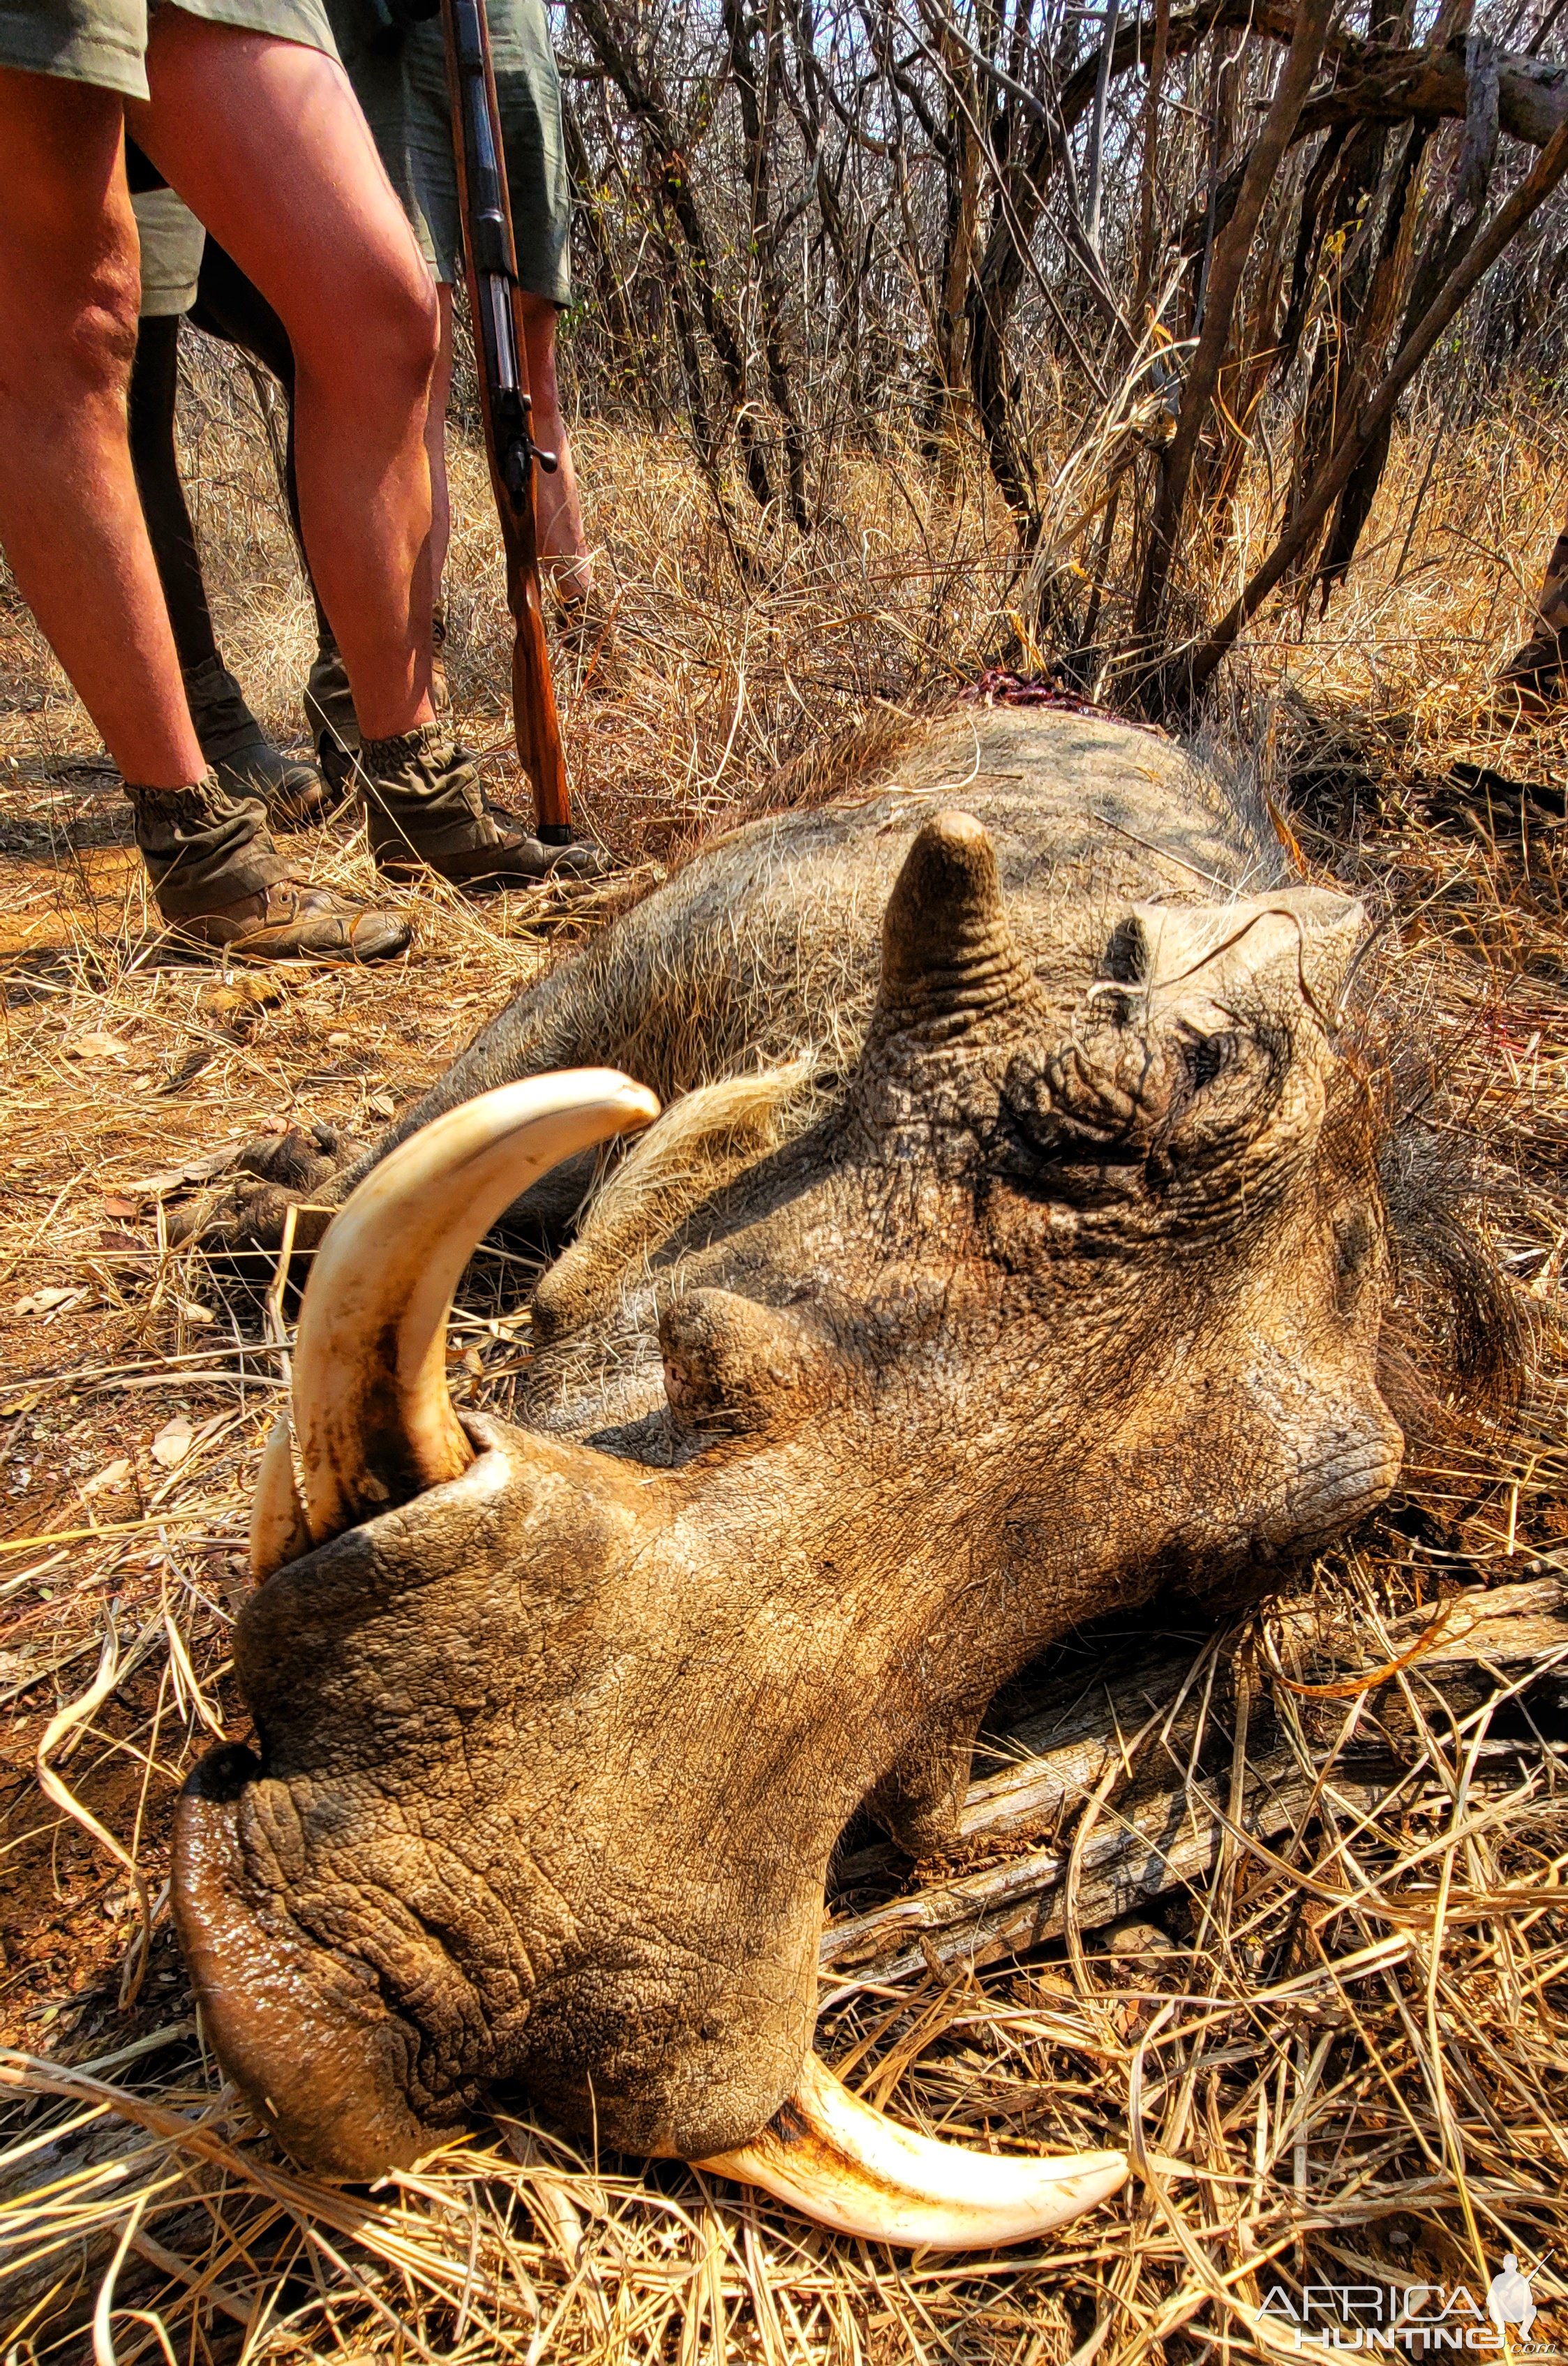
{"x":1061,"y":1302}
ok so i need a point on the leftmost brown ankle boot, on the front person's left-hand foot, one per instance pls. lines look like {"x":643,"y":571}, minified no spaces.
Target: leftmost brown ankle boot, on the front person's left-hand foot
{"x":223,"y":886}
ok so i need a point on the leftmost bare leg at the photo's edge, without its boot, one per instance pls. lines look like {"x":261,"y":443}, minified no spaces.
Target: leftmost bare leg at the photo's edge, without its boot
{"x":70,"y":512}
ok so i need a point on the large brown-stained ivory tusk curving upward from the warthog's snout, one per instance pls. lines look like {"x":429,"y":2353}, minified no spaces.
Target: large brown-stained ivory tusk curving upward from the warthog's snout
{"x":372,"y":1414}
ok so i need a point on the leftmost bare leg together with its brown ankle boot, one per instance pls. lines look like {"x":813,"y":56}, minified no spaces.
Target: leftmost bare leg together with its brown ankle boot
{"x":77,"y":538}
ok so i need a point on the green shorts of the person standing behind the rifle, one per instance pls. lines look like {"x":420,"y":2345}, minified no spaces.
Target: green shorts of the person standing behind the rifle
{"x":403,"y":93}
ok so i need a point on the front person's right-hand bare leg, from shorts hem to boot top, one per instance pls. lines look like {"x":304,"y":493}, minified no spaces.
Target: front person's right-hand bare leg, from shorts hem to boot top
{"x":266,"y":143}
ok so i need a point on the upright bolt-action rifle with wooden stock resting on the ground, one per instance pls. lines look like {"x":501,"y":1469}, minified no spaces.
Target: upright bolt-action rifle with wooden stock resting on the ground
{"x":505,"y":401}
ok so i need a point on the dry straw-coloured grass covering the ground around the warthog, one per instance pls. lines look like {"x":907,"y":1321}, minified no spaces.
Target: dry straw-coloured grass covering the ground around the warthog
{"x":1340,"y":2050}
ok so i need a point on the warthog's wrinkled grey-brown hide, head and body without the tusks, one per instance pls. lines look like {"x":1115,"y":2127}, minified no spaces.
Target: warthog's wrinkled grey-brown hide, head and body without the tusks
{"x":1073,"y":1288}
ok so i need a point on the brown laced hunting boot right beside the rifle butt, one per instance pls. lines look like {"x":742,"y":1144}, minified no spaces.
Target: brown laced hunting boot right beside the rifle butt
{"x":427,"y":806}
